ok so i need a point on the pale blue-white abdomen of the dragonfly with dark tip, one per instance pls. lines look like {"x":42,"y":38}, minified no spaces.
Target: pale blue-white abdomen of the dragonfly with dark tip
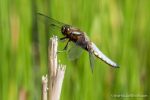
{"x":102,"y":56}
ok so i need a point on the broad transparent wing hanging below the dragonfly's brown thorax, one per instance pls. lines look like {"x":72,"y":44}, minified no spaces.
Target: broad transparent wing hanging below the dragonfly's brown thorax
{"x":74,"y":51}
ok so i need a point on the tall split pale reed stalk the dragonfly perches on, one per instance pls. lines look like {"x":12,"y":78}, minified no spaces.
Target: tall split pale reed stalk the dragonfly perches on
{"x":56,"y":71}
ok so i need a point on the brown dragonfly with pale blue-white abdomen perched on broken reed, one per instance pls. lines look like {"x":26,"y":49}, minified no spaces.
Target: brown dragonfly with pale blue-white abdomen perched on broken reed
{"x":79,"y":38}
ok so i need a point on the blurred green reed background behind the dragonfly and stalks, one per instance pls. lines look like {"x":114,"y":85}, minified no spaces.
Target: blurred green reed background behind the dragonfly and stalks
{"x":120,"y":28}
